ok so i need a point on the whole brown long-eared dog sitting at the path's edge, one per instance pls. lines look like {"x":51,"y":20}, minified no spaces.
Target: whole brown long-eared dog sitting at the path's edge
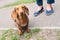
{"x":20,"y":16}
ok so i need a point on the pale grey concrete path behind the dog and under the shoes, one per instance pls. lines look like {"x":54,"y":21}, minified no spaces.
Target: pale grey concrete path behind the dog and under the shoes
{"x":40,"y":21}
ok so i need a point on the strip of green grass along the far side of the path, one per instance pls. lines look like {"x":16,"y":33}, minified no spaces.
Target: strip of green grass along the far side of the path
{"x":18,"y":3}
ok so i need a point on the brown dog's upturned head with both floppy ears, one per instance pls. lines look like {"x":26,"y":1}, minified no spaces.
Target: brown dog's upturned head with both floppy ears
{"x":21,"y":12}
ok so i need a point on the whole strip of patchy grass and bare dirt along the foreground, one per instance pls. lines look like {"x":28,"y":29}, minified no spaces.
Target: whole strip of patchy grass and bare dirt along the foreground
{"x":35,"y":34}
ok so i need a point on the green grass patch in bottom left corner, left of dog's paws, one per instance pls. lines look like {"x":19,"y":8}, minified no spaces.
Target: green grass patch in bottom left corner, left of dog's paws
{"x":8,"y":34}
